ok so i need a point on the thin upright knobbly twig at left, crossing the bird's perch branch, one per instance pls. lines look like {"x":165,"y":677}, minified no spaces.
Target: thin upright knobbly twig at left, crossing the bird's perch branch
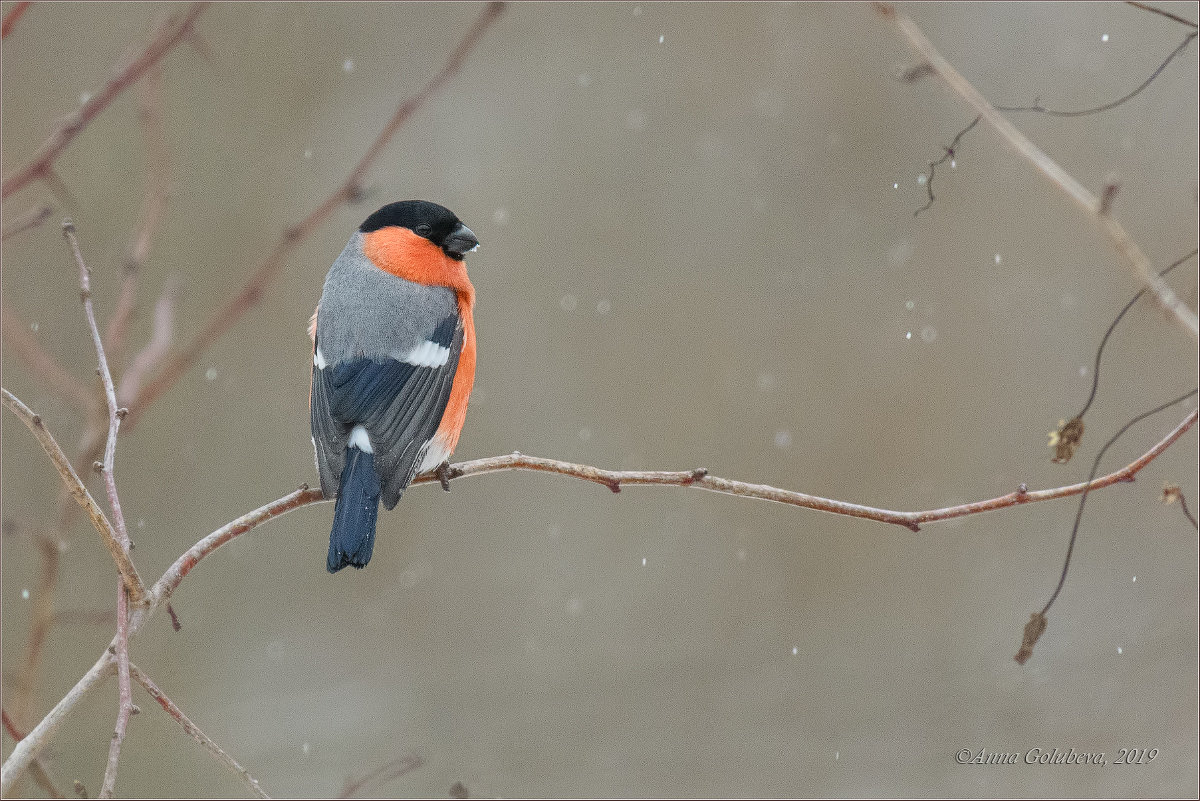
{"x":125,"y":692}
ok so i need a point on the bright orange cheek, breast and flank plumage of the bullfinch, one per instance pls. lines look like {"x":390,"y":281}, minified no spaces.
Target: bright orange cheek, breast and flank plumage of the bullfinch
{"x":415,"y":258}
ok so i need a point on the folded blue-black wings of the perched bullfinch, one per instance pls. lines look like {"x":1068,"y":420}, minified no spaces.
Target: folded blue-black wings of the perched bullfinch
{"x":400,"y":406}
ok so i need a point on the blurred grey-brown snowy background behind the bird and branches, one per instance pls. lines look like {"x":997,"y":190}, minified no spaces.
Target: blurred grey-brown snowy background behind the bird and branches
{"x":699,"y":250}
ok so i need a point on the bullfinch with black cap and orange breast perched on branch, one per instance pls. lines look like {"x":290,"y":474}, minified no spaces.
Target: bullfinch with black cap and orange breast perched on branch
{"x":393,"y":365}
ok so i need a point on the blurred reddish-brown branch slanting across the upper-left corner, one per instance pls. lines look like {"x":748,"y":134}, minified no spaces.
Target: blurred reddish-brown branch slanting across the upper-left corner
{"x":173,"y":32}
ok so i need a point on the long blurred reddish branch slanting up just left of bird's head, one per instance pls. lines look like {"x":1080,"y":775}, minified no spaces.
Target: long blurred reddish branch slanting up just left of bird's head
{"x":253,"y":293}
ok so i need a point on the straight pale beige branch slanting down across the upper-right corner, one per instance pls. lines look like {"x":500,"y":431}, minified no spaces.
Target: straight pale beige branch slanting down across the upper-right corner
{"x":1048,"y":167}
